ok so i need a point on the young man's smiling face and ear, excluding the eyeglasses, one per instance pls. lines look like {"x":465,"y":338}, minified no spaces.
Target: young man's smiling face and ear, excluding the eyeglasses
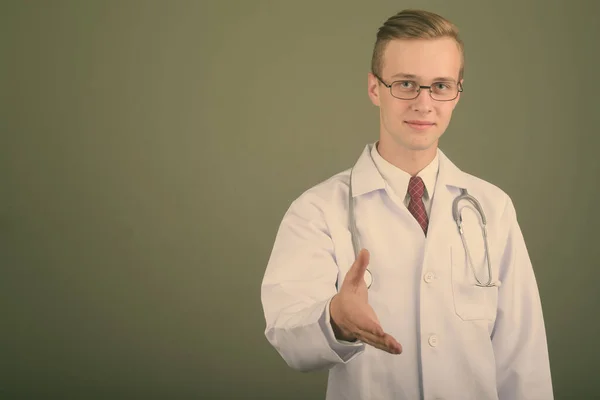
{"x":415,"y":125}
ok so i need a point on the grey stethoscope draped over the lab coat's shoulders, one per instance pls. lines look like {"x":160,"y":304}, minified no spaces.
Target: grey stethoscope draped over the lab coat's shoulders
{"x":456,"y":214}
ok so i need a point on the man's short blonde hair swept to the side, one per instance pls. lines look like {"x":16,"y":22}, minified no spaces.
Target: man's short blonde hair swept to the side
{"x":414,"y":24}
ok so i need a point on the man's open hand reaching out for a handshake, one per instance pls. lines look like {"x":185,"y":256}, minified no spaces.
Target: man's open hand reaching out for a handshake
{"x":351,"y":315}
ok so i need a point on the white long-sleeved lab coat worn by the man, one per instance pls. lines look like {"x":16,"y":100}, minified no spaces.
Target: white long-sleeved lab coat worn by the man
{"x":460,"y":341}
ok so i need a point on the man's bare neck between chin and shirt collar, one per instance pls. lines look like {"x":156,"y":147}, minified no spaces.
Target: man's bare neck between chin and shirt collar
{"x":408,"y":160}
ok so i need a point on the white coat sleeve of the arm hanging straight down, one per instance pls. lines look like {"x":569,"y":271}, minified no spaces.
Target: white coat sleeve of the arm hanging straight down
{"x":519,"y":336}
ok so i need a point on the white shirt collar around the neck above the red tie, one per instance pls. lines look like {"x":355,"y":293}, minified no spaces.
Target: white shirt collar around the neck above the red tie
{"x":398,"y":179}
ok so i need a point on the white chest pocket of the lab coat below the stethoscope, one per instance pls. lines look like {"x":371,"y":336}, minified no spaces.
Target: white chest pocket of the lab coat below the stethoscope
{"x":472,"y":302}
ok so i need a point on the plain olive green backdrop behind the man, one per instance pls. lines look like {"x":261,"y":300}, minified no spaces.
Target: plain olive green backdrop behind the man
{"x":149,"y":149}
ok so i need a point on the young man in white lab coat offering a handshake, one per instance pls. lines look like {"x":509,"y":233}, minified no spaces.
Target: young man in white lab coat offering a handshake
{"x":415,"y":311}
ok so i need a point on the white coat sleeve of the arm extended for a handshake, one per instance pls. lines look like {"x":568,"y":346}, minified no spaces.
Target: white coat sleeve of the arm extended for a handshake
{"x":299,"y":283}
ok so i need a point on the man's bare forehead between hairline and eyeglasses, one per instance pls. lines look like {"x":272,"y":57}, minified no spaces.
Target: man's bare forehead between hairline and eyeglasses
{"x":425,"y":58}
